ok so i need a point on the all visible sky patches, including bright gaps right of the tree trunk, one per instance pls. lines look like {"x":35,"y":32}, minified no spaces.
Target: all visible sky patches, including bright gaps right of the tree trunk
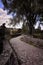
{"x":4,"y":17}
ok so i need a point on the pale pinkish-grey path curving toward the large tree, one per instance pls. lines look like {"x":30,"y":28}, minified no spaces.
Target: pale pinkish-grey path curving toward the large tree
{"x":28,"y":54}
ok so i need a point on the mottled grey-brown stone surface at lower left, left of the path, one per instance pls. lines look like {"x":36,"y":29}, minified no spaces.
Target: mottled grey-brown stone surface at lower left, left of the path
{"x":5,"y":55}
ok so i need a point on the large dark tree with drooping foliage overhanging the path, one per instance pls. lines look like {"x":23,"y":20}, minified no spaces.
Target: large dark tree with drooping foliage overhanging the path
{"x":27,"y":8}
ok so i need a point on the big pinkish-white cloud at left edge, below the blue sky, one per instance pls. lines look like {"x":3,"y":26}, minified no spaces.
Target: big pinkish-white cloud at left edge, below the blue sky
{"x":3,"y":16}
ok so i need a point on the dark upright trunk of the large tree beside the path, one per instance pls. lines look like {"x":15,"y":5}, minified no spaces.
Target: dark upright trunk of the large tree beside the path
{"x":31,"y":21}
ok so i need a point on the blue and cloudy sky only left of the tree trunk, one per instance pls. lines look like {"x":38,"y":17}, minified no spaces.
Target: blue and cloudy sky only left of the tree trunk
{"x":4,"y":18}
